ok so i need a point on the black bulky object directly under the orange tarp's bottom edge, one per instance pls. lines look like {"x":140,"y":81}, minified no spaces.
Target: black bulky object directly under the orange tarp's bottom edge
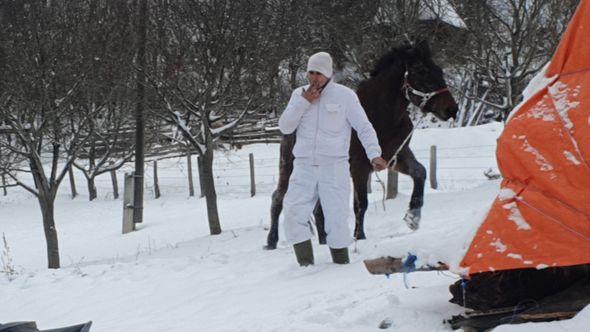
{"x":490,"y":290}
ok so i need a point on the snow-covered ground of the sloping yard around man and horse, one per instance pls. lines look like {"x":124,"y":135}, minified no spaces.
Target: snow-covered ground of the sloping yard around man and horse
{"x":170,"y":275}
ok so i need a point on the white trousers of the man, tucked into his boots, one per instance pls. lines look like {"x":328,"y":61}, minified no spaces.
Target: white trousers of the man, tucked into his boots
{"x":331,"y":184}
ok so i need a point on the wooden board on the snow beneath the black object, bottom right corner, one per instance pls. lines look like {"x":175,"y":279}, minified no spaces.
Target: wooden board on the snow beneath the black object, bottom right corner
{"x":563,"y":305}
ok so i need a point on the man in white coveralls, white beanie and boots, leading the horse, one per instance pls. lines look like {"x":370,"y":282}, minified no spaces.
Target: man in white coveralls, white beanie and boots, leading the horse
{"x":323,"y":113}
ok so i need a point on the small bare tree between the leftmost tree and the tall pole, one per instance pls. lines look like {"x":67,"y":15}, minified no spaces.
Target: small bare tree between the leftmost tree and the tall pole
{"x":106,"y":61}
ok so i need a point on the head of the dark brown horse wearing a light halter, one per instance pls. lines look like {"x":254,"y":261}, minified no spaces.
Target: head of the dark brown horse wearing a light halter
{"x":424,"y":84}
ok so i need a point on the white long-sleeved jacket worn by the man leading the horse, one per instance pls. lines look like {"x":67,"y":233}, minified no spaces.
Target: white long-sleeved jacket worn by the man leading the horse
{"x":324,"y":126}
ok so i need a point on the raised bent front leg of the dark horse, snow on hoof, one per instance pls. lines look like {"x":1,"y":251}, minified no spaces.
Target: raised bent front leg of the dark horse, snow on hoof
{"x":407,"y":164}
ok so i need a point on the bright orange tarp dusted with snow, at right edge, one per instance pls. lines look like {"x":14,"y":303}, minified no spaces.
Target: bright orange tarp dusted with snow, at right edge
{"x":541,"y":217}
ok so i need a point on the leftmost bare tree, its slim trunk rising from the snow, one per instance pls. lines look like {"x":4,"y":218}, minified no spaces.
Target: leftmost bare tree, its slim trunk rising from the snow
{"x":37,"y":87}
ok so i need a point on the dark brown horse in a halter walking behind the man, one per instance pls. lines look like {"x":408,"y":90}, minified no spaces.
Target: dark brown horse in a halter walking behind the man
{"x":406,"y":74}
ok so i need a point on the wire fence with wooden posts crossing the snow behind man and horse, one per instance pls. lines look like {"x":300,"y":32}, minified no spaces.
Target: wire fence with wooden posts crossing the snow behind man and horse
{"x":236,"y":174}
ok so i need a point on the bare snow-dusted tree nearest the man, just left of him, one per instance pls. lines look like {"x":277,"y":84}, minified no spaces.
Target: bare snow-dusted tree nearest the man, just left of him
{"x":200,"y":86}
